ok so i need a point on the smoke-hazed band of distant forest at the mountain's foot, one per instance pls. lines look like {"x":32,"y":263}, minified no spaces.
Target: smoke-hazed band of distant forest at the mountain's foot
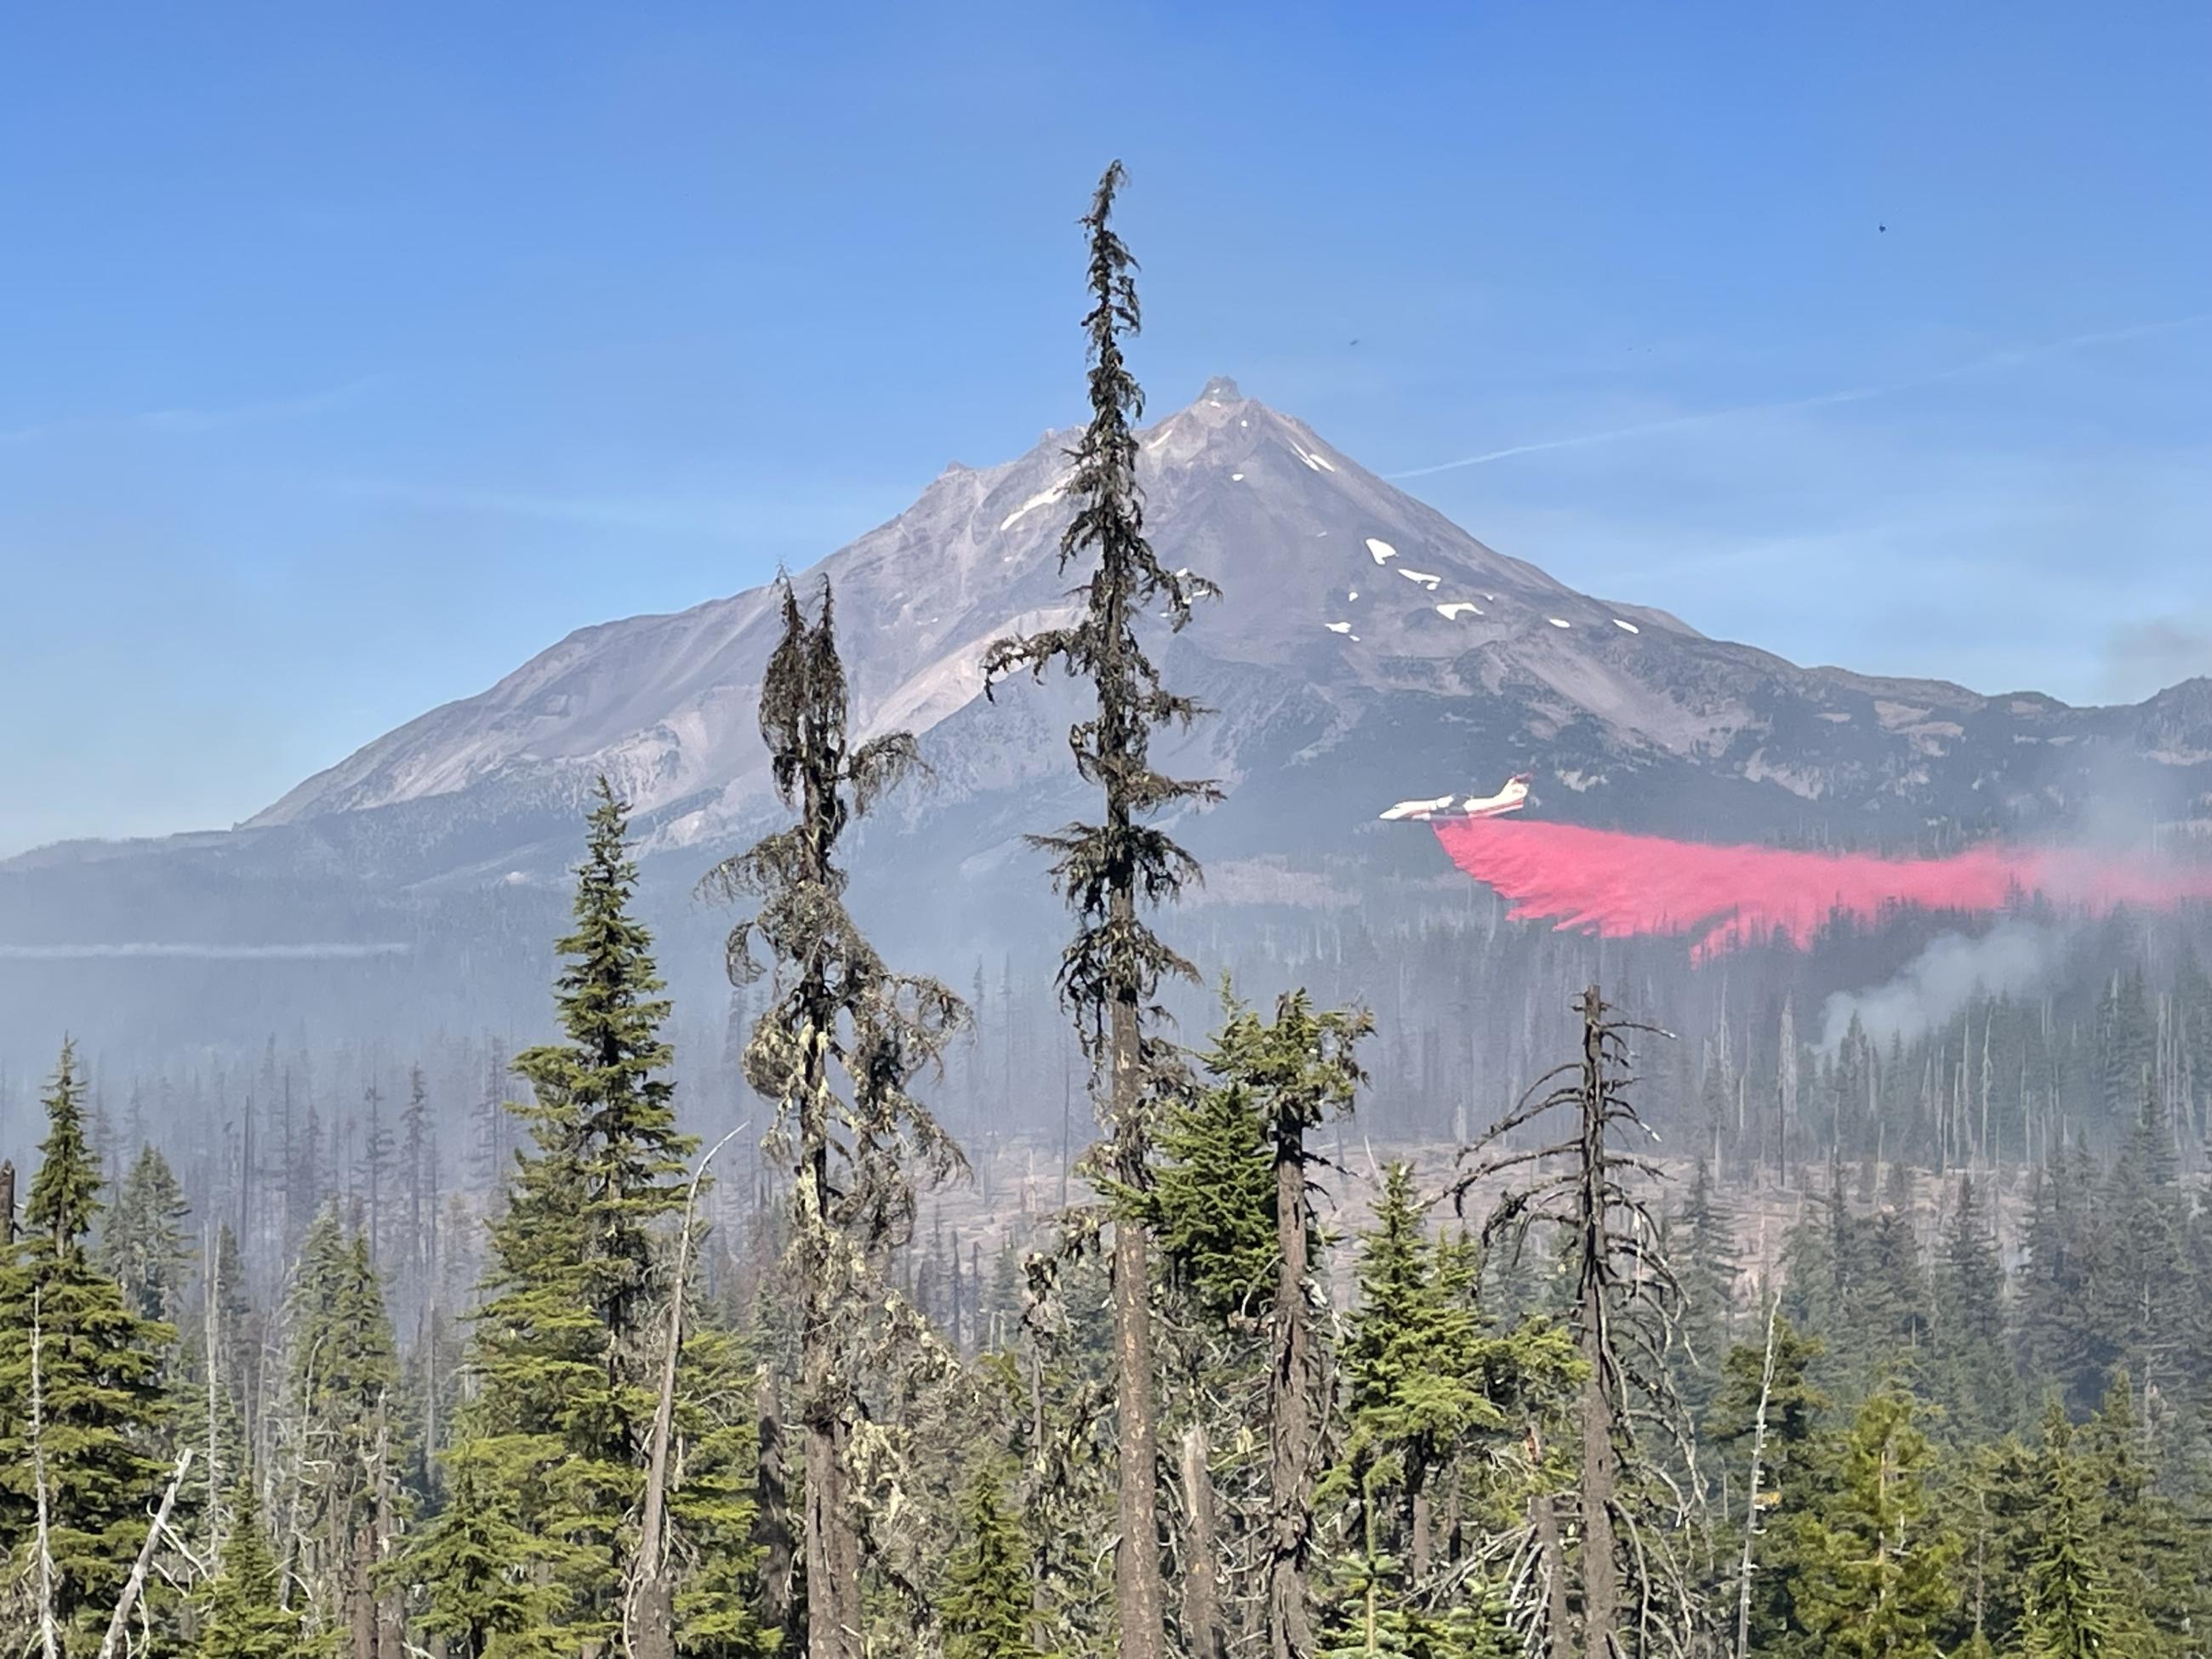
{"x":1468,"y":1012}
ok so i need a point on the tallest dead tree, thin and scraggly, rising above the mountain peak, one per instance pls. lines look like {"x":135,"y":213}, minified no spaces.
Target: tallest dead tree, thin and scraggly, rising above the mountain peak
{"x":1114,"y":968}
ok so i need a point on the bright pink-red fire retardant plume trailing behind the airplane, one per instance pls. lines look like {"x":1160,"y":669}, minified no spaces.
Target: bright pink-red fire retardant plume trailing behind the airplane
{"x":1616,"y":884}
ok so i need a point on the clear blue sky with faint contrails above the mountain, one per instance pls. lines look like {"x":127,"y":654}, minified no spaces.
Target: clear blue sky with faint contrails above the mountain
{"x":357,"y":353}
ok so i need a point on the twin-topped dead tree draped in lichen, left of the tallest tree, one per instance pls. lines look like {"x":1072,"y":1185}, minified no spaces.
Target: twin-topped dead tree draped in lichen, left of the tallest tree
{"x":837,"y":1016}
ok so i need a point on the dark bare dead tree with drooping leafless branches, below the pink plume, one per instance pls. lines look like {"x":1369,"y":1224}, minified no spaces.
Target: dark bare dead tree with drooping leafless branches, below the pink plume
{"x":1629,"y":1507}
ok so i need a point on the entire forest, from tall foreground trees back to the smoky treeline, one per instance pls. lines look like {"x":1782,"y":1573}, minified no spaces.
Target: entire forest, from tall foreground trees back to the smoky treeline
{"x":1550,"y":1412}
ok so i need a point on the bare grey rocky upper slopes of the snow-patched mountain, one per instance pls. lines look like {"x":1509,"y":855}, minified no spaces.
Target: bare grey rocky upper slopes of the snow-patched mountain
{"x":1399,"y":649}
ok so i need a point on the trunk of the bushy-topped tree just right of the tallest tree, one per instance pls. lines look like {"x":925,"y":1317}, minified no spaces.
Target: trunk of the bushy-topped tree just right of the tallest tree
{"x":1291,"y":1463}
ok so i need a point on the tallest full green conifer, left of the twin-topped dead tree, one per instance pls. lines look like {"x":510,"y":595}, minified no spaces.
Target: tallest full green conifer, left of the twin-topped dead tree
{"x":567,"y":1333}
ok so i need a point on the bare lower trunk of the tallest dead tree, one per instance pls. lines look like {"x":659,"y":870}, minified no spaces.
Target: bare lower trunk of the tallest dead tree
{"x":1136,"y":1569}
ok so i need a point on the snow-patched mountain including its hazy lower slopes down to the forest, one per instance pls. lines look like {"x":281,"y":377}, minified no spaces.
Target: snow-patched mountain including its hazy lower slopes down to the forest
{"x":1364,"y":651}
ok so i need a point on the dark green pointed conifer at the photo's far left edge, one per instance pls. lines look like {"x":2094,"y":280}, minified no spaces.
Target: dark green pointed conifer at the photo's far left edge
{"x":98,"y":1388}
